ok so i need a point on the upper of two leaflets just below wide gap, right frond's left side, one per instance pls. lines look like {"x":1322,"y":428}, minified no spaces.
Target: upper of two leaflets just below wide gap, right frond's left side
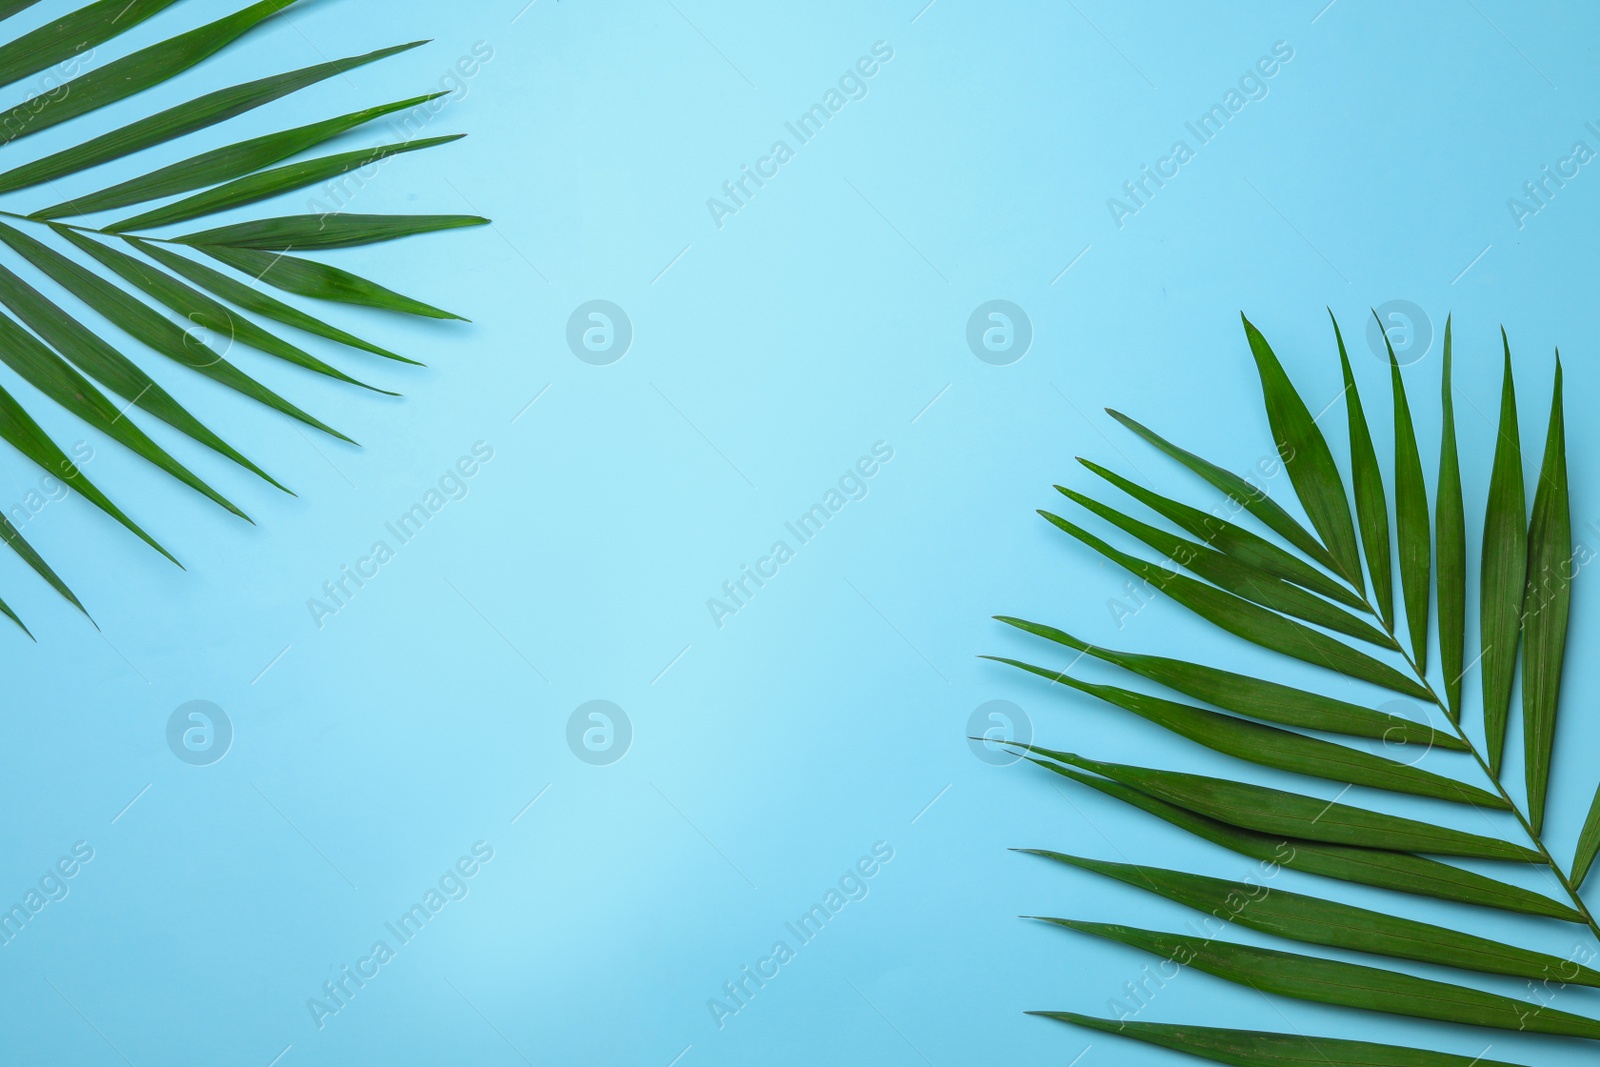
{"x":1257,"y":698}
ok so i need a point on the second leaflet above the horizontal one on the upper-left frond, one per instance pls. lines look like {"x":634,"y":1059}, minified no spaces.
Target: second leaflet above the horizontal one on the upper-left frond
{"x":226,"y":164}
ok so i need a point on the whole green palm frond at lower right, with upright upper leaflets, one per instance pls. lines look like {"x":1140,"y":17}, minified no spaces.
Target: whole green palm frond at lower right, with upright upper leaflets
{"x":1274,"y":591}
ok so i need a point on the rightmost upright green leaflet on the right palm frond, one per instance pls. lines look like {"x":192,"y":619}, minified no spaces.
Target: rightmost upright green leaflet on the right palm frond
{"x":1546,"y":607}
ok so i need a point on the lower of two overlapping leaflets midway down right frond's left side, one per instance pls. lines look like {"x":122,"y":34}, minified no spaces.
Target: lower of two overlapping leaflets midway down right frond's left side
{"x":1382,"y":869}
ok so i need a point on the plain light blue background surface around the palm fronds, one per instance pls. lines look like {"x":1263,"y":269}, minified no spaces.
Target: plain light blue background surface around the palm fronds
{"x":772,"y":749}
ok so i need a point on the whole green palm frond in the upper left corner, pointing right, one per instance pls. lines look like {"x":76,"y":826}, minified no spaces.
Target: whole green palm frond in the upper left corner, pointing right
{"x":164,"y":303}
